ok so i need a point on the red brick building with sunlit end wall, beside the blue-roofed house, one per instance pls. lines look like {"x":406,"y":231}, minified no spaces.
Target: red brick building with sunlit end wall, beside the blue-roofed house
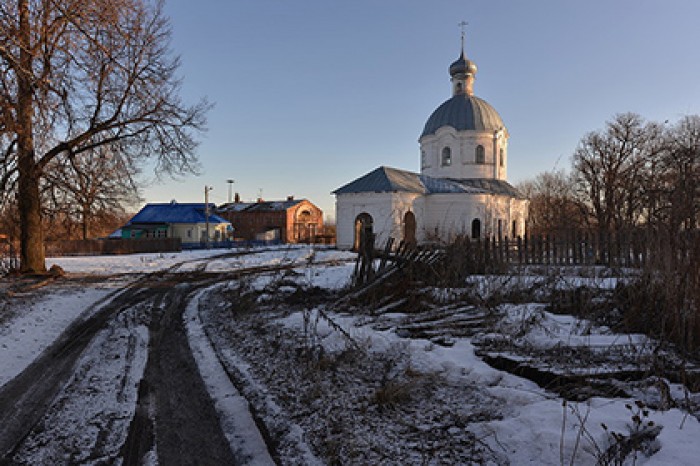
{"x":288,"y":221}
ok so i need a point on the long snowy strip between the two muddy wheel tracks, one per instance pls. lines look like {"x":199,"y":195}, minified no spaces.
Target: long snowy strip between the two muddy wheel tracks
{"x":100,"y":397}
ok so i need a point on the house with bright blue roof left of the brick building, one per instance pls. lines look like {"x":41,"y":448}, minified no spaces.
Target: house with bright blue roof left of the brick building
{"x":187,"y":221}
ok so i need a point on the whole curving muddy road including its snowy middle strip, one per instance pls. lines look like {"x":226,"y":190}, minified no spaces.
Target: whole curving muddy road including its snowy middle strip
{"x":120,"y":386}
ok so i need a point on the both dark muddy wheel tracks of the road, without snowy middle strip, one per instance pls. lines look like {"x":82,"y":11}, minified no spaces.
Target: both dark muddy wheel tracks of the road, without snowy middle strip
{"x":174,"y":416}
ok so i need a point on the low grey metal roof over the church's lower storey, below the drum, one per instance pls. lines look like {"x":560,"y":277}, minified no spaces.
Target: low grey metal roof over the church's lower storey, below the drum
{"x":387,"y":179}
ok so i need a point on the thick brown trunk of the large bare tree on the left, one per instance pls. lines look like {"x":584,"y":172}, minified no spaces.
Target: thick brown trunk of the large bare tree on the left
{"x":32,"y":254}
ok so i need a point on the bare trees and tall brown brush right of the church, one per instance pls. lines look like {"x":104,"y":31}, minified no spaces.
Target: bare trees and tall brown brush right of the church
{"x":636,"y":179}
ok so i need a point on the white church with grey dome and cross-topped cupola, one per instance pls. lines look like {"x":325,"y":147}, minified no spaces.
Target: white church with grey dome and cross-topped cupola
{"x":461,"y":189}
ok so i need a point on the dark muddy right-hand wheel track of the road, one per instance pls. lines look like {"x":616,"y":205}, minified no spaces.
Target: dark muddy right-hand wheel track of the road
{"x":174,"y":415}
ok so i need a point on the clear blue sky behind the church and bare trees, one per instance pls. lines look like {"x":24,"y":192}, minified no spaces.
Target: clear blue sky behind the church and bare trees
{"x":312,"y":94}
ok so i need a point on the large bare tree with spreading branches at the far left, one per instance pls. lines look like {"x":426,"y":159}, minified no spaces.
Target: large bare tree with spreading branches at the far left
{"x":81,"y":74}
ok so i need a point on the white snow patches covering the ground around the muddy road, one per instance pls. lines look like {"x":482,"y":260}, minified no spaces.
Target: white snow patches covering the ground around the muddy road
{"x":527,"y":425}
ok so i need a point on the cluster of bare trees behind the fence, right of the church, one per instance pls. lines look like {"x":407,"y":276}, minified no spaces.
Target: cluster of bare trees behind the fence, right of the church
{"x":631,"y":175}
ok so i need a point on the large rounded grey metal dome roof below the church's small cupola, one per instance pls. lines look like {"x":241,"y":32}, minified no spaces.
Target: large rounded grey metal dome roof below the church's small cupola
{"x":464,"y":112}
